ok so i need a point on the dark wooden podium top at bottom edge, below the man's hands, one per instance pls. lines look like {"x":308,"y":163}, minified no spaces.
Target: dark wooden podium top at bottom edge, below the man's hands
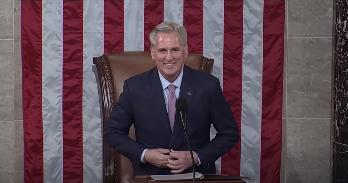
{"x":206,"y":179}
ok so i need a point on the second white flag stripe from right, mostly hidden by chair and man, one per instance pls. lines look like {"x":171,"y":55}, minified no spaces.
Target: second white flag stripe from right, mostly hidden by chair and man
{"x":213,"y":30}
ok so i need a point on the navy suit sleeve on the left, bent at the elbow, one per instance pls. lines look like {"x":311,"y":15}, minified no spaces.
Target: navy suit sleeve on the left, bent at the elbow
{"x":117,"y":127}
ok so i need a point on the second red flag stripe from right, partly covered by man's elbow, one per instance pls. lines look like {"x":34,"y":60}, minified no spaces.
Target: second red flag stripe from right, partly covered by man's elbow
{"x":232,"y":76}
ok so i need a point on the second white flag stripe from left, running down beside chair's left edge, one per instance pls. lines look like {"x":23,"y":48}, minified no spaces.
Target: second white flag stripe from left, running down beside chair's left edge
{"x":93,"y":45}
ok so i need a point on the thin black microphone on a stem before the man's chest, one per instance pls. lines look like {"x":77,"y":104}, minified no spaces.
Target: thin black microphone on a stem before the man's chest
{"x":181,"y":107}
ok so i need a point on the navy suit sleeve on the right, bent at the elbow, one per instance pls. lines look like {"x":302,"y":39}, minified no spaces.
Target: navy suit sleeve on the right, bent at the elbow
{"x":225,"y":125}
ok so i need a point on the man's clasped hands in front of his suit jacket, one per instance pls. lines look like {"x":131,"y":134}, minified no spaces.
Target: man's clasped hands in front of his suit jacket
{"x":177,"y":161}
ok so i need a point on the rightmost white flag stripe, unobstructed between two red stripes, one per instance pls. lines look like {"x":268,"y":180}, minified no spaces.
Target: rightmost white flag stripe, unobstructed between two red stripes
{"x":251,"y":89}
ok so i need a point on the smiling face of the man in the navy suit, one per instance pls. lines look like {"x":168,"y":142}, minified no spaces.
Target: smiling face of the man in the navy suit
{"x":169,"y":55}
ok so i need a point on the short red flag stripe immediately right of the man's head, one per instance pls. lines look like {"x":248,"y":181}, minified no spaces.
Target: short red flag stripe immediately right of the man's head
{"x":193,"y":22}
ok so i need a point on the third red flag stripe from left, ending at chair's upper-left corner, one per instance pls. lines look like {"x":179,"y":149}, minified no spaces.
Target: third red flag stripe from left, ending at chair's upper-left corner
{"x":113,"y":26}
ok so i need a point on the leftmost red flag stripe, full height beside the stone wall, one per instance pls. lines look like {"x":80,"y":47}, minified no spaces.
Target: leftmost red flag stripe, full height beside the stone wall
{"x":31,"y":18}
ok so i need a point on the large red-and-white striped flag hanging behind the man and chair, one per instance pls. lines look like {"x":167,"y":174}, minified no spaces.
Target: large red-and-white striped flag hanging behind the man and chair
{"x":60,"y":98}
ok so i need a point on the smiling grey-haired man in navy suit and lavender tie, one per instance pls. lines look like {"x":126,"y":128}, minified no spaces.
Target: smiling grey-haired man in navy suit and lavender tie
{"x":146,"y":102}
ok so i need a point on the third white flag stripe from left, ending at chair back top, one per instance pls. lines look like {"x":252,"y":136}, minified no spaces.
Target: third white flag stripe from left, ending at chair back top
{"x":133,"y":25}
